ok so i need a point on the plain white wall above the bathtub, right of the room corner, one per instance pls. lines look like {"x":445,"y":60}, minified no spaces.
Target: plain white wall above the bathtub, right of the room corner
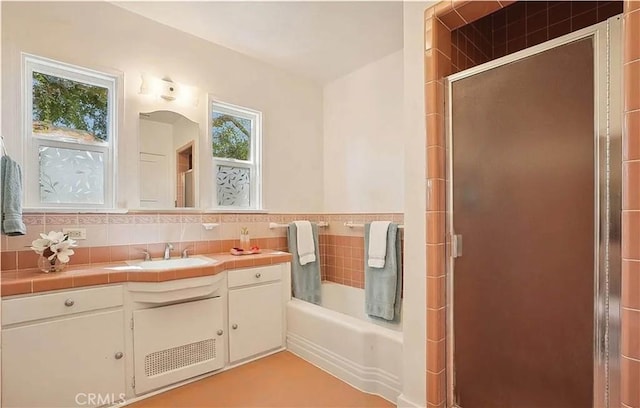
{"x":363,"y":143}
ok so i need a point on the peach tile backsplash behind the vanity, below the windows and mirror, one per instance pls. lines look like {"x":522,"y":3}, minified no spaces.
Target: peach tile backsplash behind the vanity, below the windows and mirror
{"x":116,"y":237}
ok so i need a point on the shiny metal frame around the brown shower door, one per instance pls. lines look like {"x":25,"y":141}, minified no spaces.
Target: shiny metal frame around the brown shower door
{"x":608,"y":120}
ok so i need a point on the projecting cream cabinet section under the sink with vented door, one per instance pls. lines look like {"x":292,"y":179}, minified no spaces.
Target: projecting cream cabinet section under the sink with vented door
{"x":177,"y":330}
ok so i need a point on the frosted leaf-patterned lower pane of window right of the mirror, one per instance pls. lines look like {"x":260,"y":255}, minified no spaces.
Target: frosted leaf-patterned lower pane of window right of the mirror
{"x":234,"y":186}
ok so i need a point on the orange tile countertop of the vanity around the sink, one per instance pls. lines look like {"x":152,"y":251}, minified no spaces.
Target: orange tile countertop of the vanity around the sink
{"x":33,"y":281}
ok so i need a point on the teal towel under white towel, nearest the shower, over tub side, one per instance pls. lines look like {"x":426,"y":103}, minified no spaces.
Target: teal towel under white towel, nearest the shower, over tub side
{"x":383,"y":286}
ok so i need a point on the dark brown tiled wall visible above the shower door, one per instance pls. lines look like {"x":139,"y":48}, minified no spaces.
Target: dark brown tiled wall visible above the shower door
{"x":521,"y":25}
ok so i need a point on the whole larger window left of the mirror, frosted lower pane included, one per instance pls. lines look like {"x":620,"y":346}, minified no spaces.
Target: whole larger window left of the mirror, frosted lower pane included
{"x":70,"y":116}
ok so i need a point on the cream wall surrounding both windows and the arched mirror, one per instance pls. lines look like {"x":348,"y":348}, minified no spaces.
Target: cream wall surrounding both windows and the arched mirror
{"x":107,"y":38}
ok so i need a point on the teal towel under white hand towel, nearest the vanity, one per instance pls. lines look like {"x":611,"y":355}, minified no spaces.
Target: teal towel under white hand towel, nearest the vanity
{"x":305,"y":279}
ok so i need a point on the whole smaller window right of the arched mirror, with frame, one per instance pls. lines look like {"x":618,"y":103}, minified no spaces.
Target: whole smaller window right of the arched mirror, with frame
{"x":235,"y":147}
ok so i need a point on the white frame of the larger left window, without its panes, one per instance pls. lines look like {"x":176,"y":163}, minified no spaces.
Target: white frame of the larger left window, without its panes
{"x":31,"y":63}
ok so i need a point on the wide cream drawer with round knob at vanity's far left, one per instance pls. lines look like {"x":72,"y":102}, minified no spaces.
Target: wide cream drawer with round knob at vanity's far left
{"x":59,"y":304}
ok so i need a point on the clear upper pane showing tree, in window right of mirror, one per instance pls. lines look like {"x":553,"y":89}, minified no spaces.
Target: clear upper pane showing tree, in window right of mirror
{"x":231,"y":136}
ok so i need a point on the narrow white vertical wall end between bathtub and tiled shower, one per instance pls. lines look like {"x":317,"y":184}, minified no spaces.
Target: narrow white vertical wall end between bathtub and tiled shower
{"x":414,"y":392}
